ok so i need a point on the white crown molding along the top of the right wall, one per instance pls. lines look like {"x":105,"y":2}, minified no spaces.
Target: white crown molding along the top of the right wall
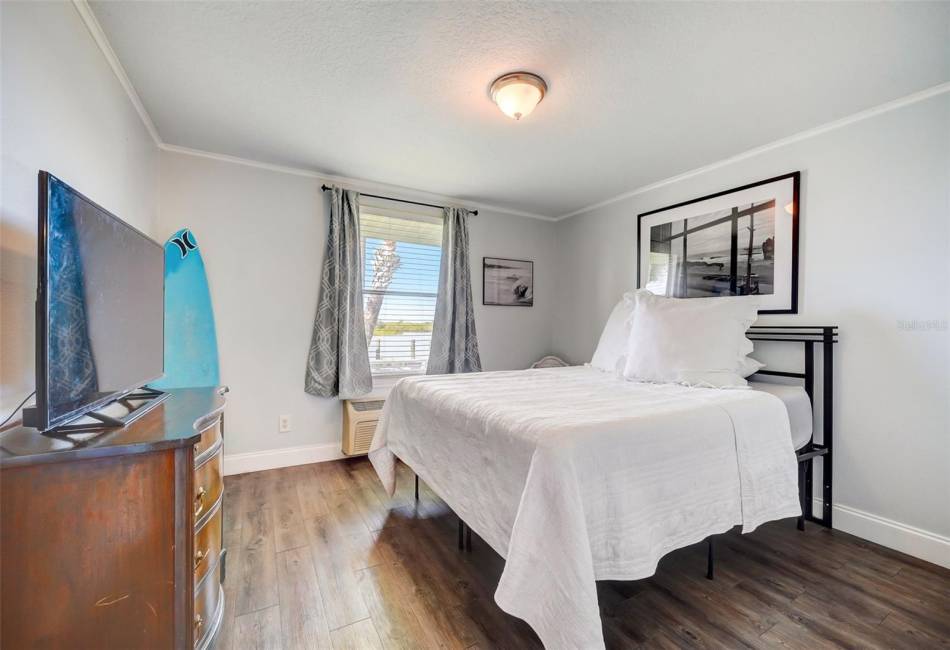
{"x":907,"y":100}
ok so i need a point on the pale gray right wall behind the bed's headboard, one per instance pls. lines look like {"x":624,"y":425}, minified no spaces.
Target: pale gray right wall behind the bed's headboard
{"x":875,"y":251}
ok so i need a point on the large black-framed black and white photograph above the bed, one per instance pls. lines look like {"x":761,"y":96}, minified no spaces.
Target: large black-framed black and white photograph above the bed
{"x":739,"y":242}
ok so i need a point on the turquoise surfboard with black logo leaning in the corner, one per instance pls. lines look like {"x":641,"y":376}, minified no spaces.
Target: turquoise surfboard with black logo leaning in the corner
{"x":191,"y":347}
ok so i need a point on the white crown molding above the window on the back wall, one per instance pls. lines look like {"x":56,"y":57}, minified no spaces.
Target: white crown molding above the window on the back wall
{"x":361,"y":185}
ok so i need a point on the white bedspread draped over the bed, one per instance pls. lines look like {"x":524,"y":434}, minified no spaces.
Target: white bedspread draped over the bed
{"x":573,"y":475}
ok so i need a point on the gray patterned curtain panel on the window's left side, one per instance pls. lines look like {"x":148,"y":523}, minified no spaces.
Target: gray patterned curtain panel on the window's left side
{"x":338,"y":362}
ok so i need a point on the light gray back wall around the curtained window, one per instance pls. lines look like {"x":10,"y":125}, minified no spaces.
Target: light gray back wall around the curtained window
{"x":263,"y":235}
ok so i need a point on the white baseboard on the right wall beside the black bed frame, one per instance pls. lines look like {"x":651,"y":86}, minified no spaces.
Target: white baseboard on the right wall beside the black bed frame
{"x":901,"y":537}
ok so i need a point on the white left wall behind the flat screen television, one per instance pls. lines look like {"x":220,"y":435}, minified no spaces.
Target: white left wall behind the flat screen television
{"x":62,"y":110}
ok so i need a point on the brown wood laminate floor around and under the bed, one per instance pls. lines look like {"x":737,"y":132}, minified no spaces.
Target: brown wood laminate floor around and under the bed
{"x":320,"y":557}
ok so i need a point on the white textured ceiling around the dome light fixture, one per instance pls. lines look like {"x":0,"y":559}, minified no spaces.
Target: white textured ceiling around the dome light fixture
{"x":398,"y":92}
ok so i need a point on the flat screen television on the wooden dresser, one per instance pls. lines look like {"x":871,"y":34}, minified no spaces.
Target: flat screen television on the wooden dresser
{"x":99,"y":309}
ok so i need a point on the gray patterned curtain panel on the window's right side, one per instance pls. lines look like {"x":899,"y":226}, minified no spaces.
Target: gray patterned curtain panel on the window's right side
{"x":454,"y":342}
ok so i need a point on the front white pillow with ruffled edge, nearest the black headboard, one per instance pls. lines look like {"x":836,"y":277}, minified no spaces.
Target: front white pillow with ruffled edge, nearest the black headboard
{"x":694,"y":341}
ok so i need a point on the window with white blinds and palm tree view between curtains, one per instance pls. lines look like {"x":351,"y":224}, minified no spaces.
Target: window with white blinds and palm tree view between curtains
{"x":402,"y":252}
